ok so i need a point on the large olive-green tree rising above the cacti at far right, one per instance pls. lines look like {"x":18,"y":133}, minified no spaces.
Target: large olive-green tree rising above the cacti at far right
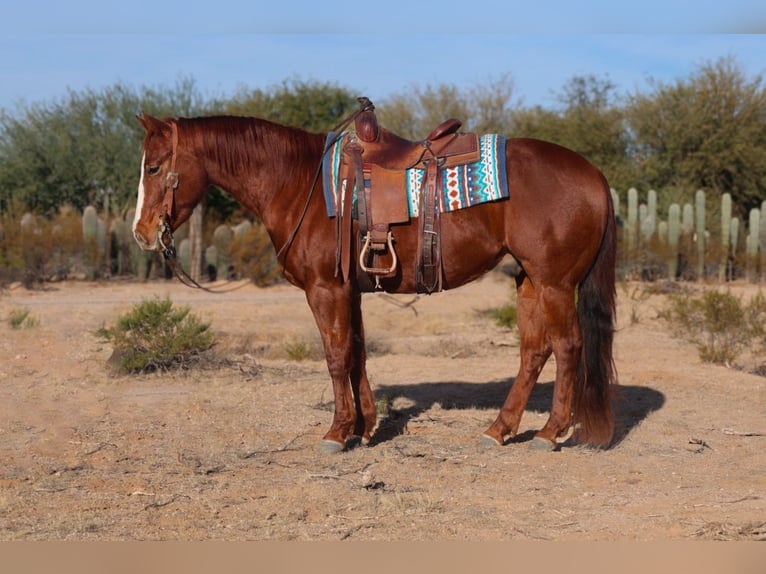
{"x":704,"y":132}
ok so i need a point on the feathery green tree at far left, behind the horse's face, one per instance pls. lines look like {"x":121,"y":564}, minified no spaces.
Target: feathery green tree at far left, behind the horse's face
{"x":72,"y":151}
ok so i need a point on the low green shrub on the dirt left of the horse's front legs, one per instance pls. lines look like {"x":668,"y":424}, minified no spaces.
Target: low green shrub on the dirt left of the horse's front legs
{"x":155,"y":336}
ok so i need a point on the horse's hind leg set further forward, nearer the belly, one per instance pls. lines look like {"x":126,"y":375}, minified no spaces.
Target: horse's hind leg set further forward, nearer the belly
{"x":535,"y":350}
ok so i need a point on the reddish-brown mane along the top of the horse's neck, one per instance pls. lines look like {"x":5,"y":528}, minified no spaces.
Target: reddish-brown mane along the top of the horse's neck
{"x":236,"y":143}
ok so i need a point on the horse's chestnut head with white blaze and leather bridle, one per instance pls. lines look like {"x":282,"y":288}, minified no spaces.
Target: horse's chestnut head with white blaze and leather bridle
{"x":172,"y":183}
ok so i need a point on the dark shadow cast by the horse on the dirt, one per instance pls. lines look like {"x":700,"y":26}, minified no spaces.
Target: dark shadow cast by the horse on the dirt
{"x":632,"y":404}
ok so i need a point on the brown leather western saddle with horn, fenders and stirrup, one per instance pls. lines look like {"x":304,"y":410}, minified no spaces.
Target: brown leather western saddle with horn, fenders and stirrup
{"x":376,"y":161}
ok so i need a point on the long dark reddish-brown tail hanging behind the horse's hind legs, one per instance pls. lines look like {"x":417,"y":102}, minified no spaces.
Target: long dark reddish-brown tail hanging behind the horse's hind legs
{"x":596,"y":308}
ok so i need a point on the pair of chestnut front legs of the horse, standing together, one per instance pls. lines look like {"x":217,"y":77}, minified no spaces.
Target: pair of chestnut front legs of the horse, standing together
{"x":337,"y":311}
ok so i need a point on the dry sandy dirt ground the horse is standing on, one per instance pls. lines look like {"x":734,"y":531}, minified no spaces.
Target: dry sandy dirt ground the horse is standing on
{"x":229,"y":452}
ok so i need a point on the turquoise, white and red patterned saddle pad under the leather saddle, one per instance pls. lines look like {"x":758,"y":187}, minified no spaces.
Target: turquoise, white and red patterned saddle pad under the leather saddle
{"x":462,"y":186}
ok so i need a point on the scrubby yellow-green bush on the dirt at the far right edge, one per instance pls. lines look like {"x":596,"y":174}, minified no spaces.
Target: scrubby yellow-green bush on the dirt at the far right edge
{"x":718,"y":323}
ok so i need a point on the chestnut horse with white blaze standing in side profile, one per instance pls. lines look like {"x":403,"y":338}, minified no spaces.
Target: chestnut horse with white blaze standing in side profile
{"x":558,"y":223}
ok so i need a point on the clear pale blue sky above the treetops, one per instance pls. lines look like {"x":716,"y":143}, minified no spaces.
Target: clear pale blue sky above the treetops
{"x":48,"y":48}
